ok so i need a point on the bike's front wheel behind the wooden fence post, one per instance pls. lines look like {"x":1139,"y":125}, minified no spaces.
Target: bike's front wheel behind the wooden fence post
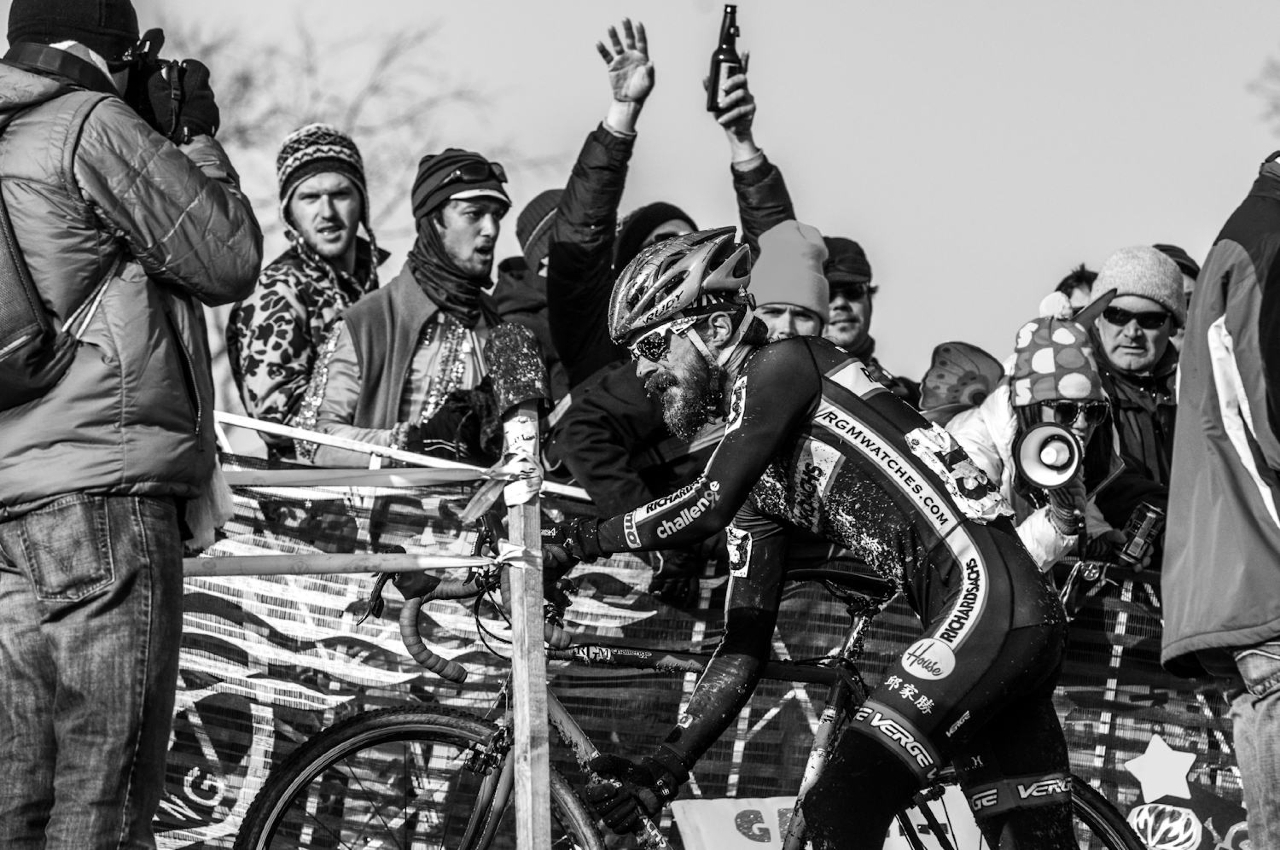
{"x":403,"y":778}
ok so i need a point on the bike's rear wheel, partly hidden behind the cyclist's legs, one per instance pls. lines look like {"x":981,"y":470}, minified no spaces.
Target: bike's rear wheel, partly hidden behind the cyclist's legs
{"x":947,"y":824}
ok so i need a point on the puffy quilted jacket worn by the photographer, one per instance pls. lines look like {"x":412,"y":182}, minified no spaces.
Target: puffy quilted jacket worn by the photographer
{"x":94,"y":191}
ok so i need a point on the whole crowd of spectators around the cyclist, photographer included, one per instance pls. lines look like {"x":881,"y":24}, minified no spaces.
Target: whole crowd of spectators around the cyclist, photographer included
{"x":140,"y":216}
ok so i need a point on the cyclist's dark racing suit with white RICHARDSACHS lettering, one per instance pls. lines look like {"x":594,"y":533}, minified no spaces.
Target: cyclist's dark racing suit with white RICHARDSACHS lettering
{"x":815,"y":450}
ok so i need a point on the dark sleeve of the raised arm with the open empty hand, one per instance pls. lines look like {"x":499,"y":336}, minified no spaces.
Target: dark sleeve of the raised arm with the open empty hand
{"x":580,"y":258}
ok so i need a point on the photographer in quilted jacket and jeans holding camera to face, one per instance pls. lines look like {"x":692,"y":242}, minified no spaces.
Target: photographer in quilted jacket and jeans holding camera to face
{"x":100,"y":476}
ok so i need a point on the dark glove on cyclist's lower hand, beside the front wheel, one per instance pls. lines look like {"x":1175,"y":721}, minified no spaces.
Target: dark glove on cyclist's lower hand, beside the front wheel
{"x":633,"y":789}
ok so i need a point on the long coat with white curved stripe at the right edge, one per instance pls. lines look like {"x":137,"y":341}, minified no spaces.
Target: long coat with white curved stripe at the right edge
{"x":1223,"y":554}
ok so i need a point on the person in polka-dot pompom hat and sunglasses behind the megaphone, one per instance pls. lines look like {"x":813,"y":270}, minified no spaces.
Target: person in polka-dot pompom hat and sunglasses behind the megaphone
{"x":1054,"y":380}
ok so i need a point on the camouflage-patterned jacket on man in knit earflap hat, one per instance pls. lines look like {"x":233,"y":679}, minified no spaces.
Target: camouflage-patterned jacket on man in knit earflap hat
{"x":275,"y":336}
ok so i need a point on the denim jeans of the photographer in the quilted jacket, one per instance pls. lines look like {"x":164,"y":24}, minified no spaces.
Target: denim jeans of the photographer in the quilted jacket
{"x":90,"y":630}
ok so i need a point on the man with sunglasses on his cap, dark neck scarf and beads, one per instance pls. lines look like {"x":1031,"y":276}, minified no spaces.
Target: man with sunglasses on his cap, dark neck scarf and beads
{"x":405,"y":367}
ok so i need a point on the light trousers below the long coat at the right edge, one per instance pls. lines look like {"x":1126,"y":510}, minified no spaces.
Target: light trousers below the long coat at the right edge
{"x":1256,"y":724}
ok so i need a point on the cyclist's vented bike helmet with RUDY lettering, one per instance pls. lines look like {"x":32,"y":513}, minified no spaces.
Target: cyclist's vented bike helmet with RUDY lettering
{"x":687,"y":276}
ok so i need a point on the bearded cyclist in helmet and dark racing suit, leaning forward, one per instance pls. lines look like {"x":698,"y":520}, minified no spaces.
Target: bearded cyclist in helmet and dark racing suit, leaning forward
{"x":815,"y":451}
